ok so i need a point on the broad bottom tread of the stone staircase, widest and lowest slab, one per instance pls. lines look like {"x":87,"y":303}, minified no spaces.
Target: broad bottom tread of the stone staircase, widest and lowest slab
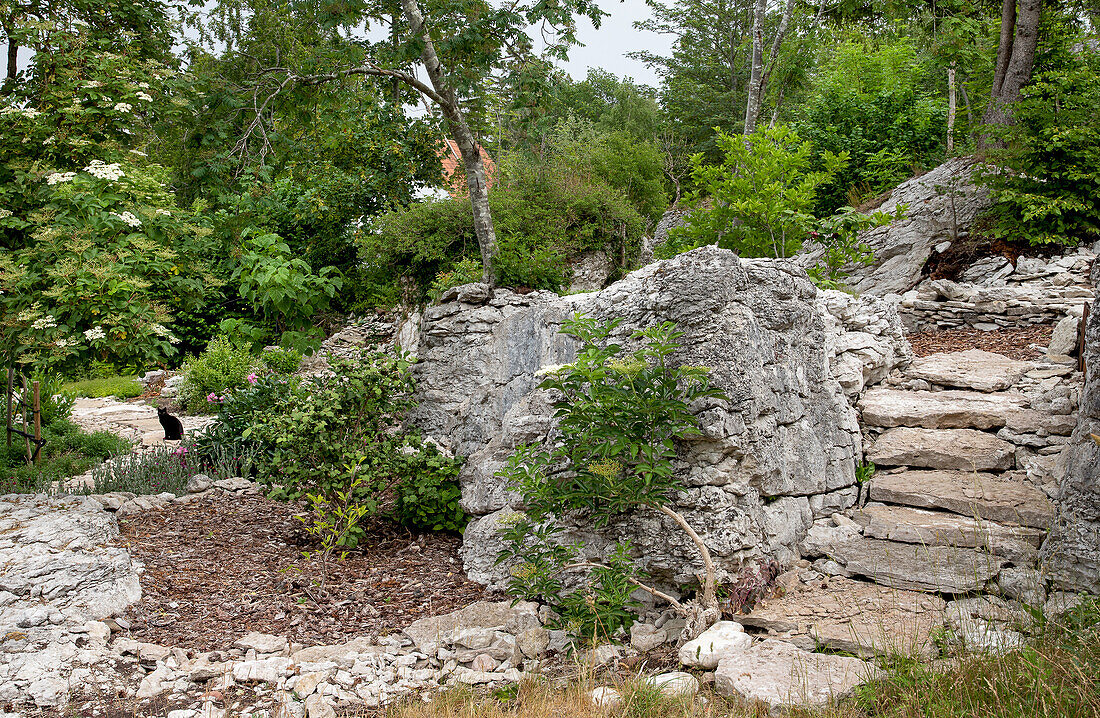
{"x":853,"y":616}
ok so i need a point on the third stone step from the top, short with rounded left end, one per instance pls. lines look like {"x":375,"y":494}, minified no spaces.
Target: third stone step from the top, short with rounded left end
{"x":953,"y":449}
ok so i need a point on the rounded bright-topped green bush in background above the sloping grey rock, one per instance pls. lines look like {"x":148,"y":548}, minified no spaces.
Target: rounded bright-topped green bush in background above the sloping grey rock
{"x":873,"y":102}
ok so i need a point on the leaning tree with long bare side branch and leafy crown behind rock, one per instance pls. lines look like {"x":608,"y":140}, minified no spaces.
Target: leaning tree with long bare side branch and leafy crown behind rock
{"x":458,"y":43}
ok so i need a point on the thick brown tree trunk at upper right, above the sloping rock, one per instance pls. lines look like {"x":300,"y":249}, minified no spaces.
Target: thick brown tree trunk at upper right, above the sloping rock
{"x":1016,"y":59}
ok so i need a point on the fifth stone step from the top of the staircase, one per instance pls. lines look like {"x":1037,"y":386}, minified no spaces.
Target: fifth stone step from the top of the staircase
{"x":906,"y":525}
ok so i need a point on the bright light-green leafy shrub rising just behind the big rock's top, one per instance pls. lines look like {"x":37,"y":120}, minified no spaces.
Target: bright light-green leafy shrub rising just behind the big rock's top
{"x":762,"y":197}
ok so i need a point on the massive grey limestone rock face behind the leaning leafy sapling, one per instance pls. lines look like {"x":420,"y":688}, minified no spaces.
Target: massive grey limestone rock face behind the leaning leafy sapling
{"x":783,"y":451}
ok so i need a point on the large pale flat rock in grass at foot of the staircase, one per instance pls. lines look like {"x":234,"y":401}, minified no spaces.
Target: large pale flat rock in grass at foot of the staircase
{"x":783,"y":676}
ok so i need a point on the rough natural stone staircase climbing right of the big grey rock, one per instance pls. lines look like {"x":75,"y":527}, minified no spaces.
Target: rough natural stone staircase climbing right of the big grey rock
{"x":949,"y":528}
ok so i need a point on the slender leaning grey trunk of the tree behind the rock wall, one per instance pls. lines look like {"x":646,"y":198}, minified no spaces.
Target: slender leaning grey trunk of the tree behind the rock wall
{"x":464,"y":137}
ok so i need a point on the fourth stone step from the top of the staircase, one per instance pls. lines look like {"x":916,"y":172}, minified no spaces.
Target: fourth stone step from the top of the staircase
{"x":966,"y":493}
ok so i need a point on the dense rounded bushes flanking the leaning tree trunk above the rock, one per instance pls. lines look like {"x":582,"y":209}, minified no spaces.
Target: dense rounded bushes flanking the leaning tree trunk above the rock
{"x":587,"y":192}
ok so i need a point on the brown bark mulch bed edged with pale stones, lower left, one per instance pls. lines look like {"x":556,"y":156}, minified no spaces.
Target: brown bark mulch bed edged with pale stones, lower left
{"x":225,"y":566}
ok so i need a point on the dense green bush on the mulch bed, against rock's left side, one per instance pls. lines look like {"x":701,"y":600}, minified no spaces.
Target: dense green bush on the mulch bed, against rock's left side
{"x":337,"y":434}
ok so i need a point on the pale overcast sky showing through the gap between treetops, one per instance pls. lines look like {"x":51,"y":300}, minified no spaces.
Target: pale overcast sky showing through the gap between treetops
{"x":606,"y":48}
